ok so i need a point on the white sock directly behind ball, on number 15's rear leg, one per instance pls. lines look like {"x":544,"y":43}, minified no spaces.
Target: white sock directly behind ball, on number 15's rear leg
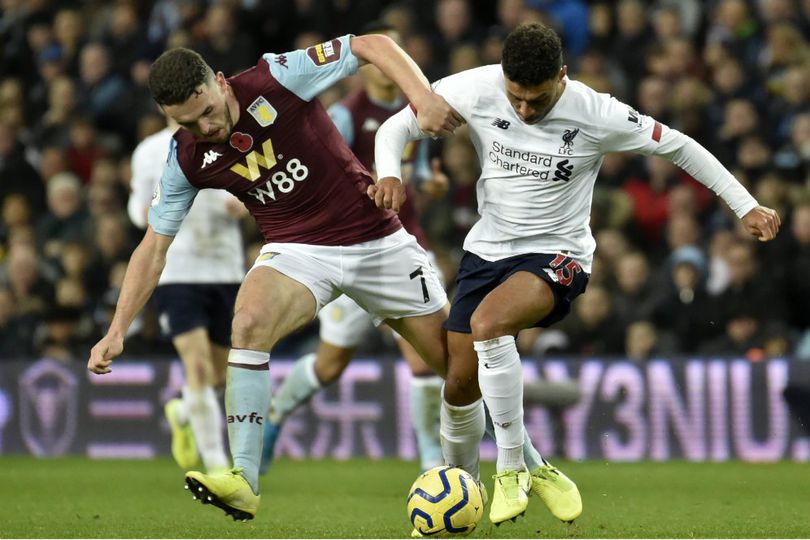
{"x":461,"y":431}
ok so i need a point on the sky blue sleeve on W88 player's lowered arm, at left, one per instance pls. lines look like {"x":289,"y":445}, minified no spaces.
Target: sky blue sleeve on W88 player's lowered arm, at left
{"x":173,"y":197}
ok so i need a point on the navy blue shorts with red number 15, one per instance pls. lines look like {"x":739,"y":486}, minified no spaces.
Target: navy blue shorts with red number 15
{"x":478,"y":277}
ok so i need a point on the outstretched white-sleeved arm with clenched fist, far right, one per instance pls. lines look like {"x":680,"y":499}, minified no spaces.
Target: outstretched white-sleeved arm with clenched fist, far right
{"x":625,"y":130}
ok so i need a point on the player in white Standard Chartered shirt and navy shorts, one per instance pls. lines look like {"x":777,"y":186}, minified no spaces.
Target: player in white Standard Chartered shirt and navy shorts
{"x":540,"y":139}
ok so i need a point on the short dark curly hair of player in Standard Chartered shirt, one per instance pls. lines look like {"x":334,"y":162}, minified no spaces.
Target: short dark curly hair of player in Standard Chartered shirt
{"x":532,"y":54}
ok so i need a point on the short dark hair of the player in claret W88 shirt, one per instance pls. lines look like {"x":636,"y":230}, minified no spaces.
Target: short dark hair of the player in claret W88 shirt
{"x":176,"y":75}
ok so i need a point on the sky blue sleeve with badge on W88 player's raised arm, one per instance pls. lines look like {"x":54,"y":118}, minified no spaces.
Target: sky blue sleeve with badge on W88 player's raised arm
{"x":308,"y":72}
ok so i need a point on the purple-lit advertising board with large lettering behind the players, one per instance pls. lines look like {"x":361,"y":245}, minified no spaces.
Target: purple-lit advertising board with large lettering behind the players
{"x":697,"y":409}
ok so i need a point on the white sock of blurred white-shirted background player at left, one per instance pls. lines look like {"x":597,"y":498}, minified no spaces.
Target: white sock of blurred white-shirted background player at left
{"x":205,"y":416}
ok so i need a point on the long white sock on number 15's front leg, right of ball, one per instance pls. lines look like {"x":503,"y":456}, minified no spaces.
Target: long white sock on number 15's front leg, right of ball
{"x":500,"y":377}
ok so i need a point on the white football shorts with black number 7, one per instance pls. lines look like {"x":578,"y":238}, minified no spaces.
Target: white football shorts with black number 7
{"x":390,"y":277}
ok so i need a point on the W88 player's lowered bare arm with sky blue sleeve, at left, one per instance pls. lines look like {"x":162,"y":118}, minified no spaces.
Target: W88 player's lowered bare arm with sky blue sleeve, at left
{"x":170,"y":205}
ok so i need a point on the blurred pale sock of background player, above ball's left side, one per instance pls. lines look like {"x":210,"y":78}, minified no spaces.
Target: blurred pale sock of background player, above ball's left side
{"x":426,"y":403}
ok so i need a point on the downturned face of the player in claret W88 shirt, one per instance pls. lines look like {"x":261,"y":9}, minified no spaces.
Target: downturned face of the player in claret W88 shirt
{"x":206,"y":113}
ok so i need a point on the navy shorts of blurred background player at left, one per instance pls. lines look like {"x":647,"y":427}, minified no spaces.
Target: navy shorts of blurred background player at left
{"x":183,"y":307}
